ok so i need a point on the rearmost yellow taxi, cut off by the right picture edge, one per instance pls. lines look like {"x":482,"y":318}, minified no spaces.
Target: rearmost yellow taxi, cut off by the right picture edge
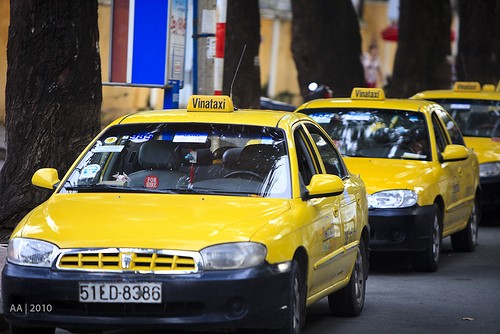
{"x":476,"y":110}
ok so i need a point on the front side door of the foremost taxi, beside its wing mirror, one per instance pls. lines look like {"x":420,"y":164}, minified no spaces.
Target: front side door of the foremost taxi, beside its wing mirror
{"x":326,"y":244}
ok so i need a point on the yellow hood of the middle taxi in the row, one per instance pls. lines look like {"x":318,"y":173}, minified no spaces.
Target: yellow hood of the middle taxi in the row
{"x":385,"y":174}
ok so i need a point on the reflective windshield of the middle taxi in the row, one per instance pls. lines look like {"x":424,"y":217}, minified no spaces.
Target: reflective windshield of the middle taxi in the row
{"x":383,"y":133}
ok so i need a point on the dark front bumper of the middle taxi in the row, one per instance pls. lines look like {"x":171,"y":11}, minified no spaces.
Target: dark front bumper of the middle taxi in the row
{"x":405,"y":229}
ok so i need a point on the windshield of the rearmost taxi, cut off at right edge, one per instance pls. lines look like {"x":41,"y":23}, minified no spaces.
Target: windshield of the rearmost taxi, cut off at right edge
{"x":475,"y":118}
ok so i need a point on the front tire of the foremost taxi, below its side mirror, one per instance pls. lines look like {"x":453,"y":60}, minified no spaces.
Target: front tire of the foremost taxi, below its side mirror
{"x":296,"y":303}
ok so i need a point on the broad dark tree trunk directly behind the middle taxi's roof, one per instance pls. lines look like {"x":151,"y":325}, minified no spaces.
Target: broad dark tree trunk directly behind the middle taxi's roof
{"x":326,"y":45}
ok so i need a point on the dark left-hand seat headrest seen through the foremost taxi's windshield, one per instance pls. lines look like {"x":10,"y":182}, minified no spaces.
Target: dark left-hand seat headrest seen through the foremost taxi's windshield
{"x":159,"y":154}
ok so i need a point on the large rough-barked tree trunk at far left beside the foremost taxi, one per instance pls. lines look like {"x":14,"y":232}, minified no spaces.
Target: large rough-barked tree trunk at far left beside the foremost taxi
{"x":53,"y":95}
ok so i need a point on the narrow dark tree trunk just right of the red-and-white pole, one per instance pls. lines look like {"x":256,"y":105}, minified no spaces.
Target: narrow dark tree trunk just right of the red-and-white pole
{"x":242,"y":33}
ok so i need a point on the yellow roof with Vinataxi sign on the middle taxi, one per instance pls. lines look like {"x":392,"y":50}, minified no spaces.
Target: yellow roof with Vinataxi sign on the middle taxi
{"x":379,"y":102}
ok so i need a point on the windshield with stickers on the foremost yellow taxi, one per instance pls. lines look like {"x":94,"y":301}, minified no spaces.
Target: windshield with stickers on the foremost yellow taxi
{"x":220,"y":159}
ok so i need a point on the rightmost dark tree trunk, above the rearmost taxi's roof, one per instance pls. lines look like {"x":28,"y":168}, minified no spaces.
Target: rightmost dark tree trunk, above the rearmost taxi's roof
{"x":478,"y":46}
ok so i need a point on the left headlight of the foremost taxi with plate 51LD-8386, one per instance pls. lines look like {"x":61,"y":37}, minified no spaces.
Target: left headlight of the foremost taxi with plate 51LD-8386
{"x":31,"y":252}
